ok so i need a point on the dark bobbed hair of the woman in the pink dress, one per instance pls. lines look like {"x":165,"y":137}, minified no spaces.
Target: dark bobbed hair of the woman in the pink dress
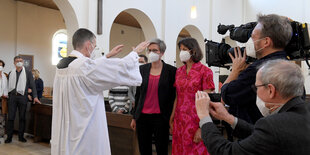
{"x":193,"y":46}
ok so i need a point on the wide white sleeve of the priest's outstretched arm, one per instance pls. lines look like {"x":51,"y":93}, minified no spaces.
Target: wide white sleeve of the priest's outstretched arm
{"x":106,"y":73}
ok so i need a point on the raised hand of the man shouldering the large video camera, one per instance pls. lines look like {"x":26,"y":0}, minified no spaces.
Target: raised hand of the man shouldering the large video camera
{"x":239,"y":64}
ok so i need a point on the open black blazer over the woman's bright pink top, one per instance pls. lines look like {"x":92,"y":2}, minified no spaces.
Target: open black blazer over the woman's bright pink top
{"x":166,"y":90}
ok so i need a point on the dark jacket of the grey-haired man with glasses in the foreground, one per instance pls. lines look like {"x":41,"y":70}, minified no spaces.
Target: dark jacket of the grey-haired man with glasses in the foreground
{"x":286,"y":132}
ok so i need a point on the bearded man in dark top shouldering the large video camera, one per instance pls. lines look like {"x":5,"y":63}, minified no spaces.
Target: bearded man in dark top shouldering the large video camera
{"x":268,"y":40}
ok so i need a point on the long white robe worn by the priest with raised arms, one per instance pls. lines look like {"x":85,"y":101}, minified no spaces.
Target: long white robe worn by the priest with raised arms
{"x":79,"y":125}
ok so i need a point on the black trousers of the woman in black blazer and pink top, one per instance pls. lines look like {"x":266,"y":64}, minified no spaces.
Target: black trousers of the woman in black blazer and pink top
{"x":149,"y":124}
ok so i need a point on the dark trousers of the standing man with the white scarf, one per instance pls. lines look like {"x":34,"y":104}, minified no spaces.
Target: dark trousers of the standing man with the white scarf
{"x":20,"y":103}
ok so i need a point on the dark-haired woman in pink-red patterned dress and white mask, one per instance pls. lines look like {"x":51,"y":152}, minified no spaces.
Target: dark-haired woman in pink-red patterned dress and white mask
{"x":190,"y":78}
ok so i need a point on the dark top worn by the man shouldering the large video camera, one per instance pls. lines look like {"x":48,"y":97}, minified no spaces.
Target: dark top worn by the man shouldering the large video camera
{"x":239,"y":95}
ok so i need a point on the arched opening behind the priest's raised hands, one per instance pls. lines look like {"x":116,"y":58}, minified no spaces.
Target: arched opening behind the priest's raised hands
{"x":129,"y":28}
